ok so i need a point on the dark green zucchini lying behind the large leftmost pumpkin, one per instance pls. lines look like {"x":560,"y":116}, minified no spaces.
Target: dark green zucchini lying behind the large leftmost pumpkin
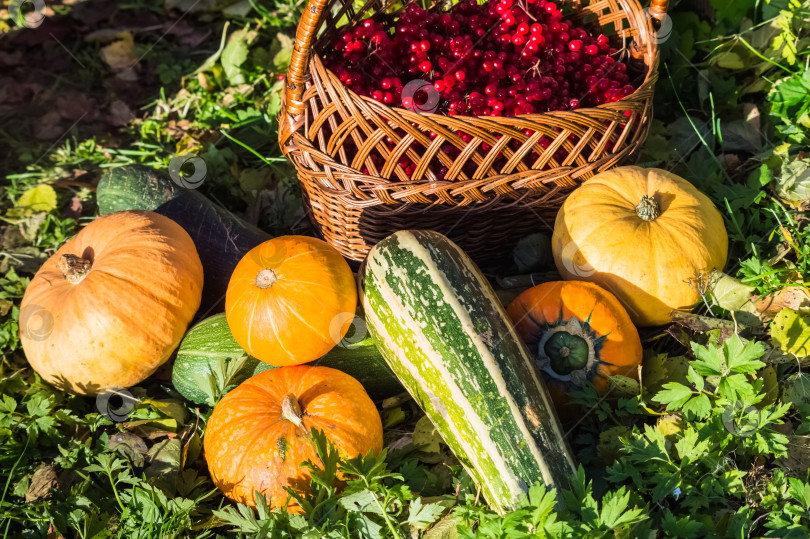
{"x":221,"y":238}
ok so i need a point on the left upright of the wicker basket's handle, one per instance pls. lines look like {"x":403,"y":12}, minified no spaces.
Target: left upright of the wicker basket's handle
{"x":297,"y":73}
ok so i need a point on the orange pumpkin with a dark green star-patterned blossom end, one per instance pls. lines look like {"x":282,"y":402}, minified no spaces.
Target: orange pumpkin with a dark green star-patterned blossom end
{"x":576,"y":331}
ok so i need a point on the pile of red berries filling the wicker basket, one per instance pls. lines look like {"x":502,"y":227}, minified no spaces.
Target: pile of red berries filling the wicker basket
{"x":501,"y":58}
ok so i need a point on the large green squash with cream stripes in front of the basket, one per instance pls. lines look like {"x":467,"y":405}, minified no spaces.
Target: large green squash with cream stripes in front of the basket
{"x":444,"y":333}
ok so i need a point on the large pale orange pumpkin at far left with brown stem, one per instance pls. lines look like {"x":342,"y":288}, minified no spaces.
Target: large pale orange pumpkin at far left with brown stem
{"x":111,"y":305}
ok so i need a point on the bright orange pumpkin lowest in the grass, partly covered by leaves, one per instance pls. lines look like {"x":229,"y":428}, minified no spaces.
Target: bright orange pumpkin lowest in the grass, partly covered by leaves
{"x":260,"y":433}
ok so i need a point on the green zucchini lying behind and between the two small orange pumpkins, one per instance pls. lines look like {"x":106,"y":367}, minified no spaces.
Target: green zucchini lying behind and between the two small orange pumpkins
{"x":209,"y":352}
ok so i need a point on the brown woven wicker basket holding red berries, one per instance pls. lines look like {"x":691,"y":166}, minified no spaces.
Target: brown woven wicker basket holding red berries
{"x":485,"y":211}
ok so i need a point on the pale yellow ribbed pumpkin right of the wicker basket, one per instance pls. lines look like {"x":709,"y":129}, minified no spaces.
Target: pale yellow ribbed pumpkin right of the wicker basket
{"x":646,"y":235}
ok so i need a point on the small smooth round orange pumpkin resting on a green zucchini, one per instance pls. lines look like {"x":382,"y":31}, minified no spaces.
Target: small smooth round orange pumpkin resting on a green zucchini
{"x":290,"y":300}
